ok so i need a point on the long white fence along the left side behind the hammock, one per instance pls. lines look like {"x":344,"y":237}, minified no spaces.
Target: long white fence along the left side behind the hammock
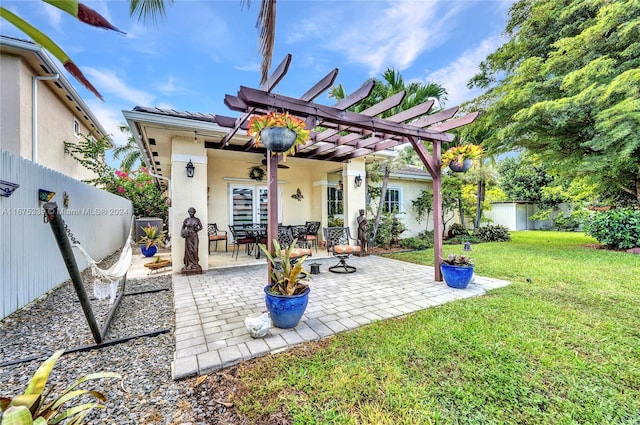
{"x":31,"y":263}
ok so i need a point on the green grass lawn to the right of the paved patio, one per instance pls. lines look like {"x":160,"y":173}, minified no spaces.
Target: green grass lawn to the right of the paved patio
{"x":561,"y":345}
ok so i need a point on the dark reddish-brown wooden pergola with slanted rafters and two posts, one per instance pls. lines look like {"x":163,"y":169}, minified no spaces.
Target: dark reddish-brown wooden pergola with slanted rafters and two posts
{"x":347,"y":134}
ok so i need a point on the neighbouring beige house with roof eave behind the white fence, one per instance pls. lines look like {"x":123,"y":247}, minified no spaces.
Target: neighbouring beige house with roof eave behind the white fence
{"x":40,"y":109}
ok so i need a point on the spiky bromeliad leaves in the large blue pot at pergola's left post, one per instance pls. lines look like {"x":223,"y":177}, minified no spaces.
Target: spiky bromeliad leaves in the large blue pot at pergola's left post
{"x":287,"y":278}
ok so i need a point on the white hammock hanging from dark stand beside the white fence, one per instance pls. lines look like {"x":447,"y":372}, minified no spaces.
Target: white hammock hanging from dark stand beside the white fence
{"x":106,"y":281}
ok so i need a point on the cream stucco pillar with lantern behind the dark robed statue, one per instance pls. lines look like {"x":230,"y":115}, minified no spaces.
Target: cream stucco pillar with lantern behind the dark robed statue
{"x":188,"y":192}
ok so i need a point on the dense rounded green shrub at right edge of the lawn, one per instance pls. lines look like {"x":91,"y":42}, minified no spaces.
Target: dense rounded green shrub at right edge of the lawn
{"x":617,"y":228}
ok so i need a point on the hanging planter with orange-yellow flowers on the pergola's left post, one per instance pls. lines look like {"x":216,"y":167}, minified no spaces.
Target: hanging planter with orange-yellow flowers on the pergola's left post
{"x":279,"y":132}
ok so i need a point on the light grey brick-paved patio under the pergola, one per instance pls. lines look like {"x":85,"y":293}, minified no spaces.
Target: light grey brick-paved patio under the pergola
{"x":211,"y":308}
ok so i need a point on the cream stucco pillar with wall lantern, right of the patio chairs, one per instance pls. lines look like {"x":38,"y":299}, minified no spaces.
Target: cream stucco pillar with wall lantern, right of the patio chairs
{"x":354,"y":198}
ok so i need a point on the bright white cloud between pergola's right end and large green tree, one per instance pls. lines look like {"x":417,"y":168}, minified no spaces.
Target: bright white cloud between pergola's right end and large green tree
{"x":455,"y":76}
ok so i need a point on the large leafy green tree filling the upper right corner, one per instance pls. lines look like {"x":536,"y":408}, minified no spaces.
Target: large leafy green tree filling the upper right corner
{"x":565,"y":87}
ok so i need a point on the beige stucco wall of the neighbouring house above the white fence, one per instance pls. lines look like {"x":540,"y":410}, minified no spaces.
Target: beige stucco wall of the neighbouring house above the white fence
{"x":55,"y":120}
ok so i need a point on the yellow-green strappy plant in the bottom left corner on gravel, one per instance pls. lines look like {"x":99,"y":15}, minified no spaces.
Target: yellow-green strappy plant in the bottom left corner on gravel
{"x":32,"y":406}
